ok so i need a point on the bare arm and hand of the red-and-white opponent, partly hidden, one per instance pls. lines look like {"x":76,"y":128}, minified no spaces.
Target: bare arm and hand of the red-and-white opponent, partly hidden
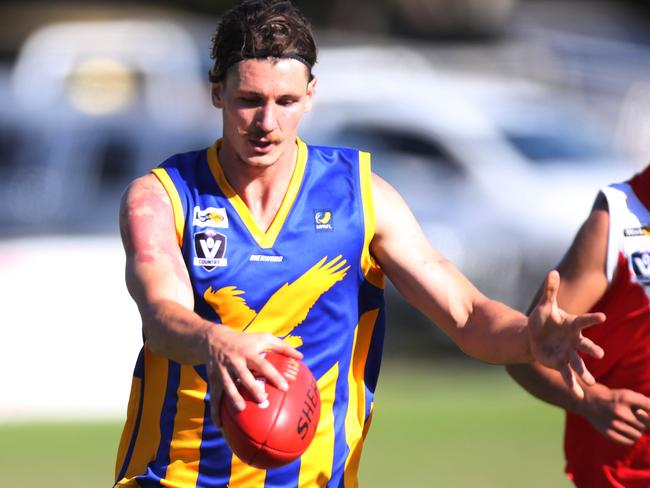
{"x":617,"y":414}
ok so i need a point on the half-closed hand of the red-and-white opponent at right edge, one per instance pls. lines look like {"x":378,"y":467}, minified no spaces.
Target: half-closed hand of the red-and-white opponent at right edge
{"x":620,"y":415}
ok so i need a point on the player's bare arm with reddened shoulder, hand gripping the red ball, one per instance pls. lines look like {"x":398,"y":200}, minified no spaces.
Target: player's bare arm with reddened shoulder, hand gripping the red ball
{"x":158,"y":281}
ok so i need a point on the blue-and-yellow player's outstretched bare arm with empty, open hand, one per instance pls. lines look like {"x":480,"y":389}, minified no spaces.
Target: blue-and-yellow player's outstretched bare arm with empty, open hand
{"x":486,"y":329}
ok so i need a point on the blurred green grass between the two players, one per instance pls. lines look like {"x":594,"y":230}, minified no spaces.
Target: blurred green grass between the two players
{"x":460,"y":424}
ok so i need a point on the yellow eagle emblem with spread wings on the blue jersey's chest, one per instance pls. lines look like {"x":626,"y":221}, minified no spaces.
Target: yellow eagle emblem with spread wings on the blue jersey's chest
{"x":287,"y":308}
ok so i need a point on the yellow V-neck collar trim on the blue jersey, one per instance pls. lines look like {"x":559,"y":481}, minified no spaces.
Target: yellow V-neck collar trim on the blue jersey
{"x":265,"y":239}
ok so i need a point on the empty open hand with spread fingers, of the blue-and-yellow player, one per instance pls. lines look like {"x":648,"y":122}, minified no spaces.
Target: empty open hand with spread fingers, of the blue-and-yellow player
{"x":555,"y":337}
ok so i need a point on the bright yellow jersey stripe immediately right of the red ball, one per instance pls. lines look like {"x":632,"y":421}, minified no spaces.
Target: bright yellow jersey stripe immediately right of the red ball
{"x":316,"y":462}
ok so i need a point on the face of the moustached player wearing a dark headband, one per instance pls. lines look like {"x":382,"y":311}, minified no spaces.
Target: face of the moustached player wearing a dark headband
{"x":263,"y":102}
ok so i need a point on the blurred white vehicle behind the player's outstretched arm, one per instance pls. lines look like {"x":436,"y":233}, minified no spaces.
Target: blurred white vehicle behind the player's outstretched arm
{"x":499,"y":172}
